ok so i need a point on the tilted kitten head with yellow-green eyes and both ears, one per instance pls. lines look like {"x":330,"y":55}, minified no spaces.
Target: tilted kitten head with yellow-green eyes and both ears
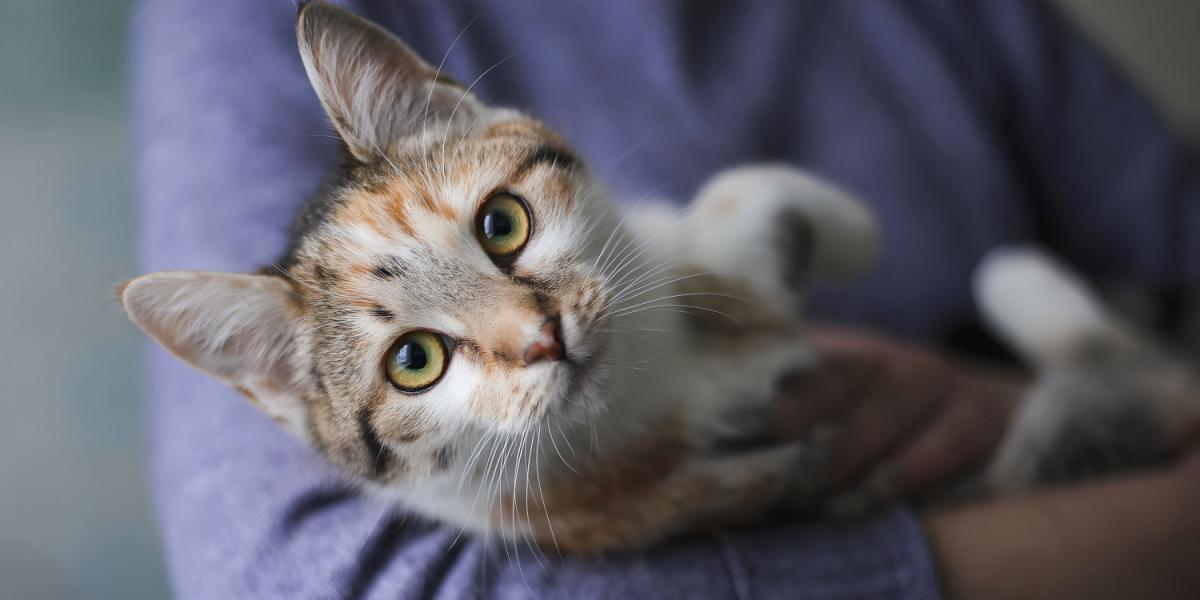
{"x":447,"y":284}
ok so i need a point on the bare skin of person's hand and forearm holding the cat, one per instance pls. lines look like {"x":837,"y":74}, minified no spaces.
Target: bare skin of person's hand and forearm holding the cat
{"x":917,"y":418}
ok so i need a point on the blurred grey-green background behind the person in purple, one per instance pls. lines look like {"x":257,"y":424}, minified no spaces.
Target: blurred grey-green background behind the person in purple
{"x":76,"y":518}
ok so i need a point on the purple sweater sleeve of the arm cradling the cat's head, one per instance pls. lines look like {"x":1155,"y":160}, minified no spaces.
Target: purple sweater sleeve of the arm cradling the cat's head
{"x":230,"y":142}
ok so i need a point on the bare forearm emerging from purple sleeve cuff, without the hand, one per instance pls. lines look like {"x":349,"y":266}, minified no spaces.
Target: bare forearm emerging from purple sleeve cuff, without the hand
{"x":1132,"y":538}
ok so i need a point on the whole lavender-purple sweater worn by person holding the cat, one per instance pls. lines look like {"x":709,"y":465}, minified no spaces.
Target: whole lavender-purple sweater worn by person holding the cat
{"x":964,"y":124}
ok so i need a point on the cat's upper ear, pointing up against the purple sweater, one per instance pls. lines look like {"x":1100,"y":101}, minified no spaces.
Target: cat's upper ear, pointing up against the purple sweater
{"x":375,"y":89}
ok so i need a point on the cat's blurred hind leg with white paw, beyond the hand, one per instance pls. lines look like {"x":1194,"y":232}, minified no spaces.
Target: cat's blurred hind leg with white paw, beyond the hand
{"x":1106,"y":400}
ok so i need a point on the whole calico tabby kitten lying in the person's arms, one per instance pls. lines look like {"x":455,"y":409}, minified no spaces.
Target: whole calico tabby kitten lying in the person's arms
{"x":465,"y":326}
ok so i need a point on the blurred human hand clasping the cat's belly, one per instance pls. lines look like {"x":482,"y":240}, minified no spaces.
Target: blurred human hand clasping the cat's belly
{"x":910,"y":418}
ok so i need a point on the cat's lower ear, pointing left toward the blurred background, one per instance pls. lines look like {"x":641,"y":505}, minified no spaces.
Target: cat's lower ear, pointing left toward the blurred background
{"x":239,"y":329}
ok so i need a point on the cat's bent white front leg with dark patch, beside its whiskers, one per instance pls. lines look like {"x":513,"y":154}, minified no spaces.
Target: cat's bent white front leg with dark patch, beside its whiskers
{"x":761,"y":232}
